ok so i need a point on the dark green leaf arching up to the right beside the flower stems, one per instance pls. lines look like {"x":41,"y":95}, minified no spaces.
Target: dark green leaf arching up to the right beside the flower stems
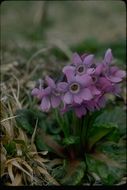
{"x":97,"y":132}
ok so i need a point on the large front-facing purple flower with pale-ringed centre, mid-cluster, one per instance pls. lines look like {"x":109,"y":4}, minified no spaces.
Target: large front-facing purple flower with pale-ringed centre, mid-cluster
{"x":77,"y":88}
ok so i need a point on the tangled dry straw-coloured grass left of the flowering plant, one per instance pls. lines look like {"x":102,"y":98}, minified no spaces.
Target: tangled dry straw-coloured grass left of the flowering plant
{"x":26,"y":166}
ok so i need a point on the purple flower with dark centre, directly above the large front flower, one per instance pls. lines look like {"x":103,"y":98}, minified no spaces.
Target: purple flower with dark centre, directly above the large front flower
{"x":80,"y":65}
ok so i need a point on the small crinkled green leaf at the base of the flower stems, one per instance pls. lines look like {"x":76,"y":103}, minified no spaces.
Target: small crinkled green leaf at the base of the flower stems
{"x":71,"y":140}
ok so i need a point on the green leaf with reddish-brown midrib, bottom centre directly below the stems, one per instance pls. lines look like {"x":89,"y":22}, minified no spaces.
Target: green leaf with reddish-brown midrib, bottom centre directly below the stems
{"x":75,"y":171}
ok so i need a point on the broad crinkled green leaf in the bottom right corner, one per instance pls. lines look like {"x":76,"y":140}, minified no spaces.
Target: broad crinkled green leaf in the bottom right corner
{"x":110,"y":172}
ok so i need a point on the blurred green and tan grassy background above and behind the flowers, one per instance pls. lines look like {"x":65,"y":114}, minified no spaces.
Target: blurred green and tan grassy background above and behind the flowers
{"x":41,"y":35}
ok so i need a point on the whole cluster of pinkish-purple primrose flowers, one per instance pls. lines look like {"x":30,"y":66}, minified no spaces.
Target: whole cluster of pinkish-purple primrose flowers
{"x":84,"y":85}
